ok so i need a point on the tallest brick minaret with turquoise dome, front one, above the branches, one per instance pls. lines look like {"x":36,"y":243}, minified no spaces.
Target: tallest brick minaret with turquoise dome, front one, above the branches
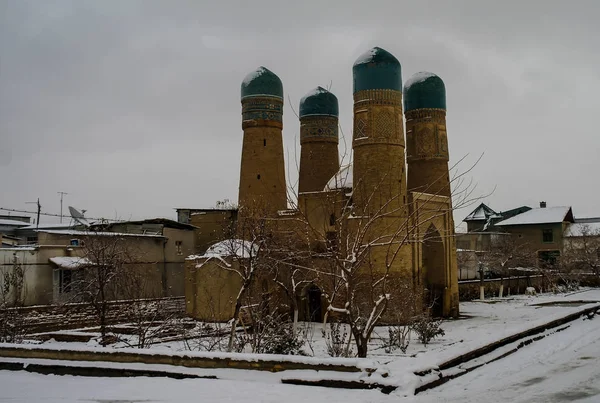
{"x":379,"y":184}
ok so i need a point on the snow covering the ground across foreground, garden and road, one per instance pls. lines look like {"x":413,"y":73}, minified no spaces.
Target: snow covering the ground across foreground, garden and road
{"x":562,"y":366}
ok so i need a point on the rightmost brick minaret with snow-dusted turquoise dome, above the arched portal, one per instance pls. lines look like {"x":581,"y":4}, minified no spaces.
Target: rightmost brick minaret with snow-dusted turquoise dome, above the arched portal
{"x":427,"y":142}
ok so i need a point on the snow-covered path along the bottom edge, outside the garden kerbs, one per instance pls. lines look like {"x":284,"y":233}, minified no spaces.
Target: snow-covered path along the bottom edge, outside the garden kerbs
{"x":562,"y":367}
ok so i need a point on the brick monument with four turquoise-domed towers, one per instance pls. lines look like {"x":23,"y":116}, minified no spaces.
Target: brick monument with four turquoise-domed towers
{"x":394,"y":199}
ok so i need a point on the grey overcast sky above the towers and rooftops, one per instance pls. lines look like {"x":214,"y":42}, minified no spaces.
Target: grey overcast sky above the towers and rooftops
{"x":132,"y":107}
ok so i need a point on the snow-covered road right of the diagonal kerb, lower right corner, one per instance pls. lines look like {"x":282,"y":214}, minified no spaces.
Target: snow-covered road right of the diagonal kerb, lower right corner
{"x":562,"y":367}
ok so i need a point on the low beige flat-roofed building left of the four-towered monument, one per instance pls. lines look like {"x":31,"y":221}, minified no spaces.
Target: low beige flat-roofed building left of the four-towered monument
{"x":50,"y":265}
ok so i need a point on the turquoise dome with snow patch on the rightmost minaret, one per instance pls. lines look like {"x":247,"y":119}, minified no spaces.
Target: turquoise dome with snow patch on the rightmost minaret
{"x":424,"y":90}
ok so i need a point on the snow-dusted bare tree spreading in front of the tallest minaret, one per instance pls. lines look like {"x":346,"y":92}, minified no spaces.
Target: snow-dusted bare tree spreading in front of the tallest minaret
{"x":354,"y":261}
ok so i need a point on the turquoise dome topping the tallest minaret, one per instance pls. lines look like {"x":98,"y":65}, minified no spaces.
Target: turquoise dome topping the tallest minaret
{"x":377,"y":69}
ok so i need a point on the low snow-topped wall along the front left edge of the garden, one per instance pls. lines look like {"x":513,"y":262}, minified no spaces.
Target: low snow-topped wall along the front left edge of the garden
{"x":273,"y":363}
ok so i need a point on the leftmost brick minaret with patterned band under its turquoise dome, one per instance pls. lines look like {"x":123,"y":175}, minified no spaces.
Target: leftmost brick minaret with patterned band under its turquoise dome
{"x":262,"y":175}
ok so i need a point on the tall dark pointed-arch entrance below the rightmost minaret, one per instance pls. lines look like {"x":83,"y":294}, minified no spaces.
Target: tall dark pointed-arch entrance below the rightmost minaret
{"x":434,"y":266}
